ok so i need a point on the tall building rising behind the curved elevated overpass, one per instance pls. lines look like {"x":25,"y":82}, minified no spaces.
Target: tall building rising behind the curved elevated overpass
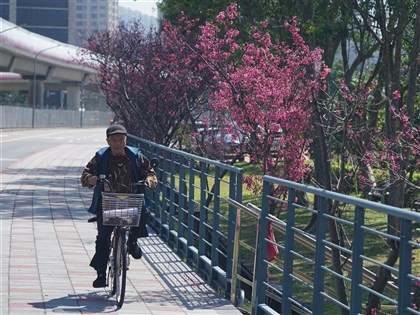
{"x":68,"y":21}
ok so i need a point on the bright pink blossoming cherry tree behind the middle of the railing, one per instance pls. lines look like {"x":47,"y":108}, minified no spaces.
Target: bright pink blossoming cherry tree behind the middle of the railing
{"x":263,"y":94}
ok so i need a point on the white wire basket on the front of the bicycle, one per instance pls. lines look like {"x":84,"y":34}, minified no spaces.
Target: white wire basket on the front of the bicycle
{"x":121,"y":209}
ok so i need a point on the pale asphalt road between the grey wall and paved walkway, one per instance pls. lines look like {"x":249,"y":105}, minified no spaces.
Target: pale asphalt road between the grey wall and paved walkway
{"x":18,"y":144}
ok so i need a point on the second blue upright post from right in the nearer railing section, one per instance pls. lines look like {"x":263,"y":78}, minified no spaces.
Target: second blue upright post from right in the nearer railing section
{"x":357,"y":264}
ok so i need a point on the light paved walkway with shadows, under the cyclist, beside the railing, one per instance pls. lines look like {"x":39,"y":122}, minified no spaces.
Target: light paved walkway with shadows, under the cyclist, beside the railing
{"x":46,"y":246}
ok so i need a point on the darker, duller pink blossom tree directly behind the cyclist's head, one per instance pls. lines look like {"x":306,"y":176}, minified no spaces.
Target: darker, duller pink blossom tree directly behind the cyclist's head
{"x":153,"y":87}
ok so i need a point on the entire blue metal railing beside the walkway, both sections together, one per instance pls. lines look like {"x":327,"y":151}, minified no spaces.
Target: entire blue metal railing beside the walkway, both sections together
{"x":198,"y":208}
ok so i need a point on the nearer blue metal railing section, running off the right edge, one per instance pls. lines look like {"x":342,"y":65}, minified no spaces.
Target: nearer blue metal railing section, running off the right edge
{"x":307,"y":273}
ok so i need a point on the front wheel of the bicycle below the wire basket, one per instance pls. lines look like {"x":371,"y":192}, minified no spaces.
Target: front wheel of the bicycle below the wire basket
{"x":120,"y":268}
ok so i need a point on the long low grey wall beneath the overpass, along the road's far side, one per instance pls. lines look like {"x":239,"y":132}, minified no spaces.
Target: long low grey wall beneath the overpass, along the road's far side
{"x":22,"y":117}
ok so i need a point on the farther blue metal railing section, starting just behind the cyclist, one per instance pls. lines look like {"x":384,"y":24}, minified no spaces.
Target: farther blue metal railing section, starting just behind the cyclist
{"x":191,"y":212}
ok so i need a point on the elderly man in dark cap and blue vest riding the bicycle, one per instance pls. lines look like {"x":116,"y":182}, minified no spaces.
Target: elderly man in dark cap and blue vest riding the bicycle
{"x":123,"y":166}
